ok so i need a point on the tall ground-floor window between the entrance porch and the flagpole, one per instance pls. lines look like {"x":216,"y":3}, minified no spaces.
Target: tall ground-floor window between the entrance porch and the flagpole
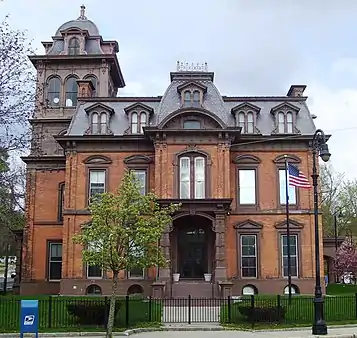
{"x":248,"y":256}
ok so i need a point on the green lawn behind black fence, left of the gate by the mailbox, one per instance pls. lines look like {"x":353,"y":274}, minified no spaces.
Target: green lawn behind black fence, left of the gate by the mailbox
{"x":54,"y":315}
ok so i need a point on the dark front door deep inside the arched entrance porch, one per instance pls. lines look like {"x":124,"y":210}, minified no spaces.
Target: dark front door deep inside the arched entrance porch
{"x":192,"y":249}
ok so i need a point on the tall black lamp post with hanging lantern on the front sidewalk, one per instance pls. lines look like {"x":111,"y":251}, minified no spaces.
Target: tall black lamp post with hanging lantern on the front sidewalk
{"x":319,"y":148}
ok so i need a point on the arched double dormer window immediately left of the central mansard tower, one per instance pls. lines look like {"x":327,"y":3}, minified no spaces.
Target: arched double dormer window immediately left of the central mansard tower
{"x":139,"y":116}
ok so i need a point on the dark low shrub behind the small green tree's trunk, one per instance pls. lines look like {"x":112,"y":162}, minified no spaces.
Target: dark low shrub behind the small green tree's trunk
{"x":91,"y":312}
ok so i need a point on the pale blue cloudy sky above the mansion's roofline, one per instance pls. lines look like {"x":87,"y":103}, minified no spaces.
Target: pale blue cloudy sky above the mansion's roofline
{"x":255,"y":47}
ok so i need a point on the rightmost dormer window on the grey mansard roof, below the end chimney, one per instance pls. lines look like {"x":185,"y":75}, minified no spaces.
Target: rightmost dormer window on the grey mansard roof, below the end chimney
{"x":285,"y":119}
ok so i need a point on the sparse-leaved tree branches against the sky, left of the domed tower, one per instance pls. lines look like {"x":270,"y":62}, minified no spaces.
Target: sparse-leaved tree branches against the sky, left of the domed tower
{"x":17,"y":88}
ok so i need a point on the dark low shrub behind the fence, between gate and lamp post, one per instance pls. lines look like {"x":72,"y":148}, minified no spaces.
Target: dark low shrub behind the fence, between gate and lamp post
{"x":263,"y":314}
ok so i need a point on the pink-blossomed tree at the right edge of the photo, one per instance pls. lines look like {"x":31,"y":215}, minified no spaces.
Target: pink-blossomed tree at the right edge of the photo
{"x":346,"y":258}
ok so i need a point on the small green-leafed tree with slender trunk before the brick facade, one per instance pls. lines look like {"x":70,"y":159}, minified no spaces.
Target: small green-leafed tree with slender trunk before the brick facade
{"x":124,"y":232}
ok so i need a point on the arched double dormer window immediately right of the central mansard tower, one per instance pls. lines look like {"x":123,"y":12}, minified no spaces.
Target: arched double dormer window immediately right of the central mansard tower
{"x":246,"y":118}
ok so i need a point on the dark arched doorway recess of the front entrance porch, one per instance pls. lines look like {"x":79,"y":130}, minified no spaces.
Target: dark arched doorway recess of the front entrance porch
{"x":194,"y":241}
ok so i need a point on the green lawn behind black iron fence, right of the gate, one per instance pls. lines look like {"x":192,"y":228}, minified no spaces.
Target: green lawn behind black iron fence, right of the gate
{"x":338,"y":309}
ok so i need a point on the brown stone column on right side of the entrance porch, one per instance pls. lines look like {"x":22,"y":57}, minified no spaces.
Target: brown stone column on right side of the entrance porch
{"x":220,"y":230}
